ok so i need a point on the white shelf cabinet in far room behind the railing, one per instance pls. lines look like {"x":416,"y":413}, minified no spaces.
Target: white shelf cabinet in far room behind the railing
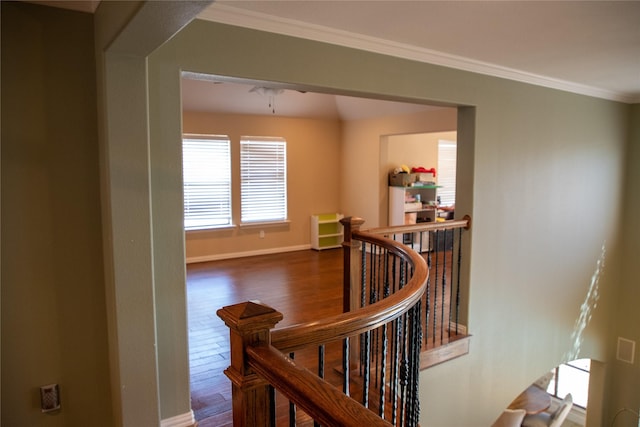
{"x":411,"y":205}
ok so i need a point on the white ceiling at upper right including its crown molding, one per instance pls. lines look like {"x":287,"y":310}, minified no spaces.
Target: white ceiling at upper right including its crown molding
{"x":588,"y":47}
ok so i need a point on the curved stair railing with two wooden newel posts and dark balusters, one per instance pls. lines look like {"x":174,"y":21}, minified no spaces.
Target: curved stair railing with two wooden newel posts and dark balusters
{"x":381,"y":343}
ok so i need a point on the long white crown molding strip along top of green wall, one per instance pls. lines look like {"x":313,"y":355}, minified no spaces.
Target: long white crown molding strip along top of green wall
{"x":264,"y":22}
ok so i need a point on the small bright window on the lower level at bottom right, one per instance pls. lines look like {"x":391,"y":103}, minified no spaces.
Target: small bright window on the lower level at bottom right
{"x":571,"y":377}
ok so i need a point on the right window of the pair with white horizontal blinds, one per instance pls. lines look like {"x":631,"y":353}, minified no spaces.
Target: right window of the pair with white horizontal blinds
{"x":263,"y":179}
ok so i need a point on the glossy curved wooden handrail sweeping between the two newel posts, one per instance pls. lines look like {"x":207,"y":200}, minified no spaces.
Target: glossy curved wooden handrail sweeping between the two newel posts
{"x":363,"y":319}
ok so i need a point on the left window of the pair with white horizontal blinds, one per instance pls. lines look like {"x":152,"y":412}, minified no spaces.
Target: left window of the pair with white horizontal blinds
{"x":206,"y":165}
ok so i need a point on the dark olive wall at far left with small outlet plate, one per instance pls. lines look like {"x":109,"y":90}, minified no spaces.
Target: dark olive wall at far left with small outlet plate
{"x":53,"y":302}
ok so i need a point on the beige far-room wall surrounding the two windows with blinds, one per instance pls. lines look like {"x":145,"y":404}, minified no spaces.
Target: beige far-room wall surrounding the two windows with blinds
{"x":314,"y":160}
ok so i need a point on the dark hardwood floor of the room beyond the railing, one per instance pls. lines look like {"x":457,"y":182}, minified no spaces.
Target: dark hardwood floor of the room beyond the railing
{"x":302,"y":285}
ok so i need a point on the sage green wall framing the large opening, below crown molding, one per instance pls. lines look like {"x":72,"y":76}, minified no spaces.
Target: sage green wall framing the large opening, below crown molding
{"x":547,"y":173}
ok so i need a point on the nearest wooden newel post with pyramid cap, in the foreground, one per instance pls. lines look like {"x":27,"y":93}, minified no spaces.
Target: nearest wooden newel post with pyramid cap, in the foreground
{"x":249,"y":325}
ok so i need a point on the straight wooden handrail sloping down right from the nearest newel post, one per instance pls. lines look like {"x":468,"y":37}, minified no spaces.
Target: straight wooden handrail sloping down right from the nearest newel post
{"x":323,"y":402}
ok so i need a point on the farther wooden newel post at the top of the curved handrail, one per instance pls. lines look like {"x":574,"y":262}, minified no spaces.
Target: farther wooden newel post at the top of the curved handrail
{"x":351,"y":267}
